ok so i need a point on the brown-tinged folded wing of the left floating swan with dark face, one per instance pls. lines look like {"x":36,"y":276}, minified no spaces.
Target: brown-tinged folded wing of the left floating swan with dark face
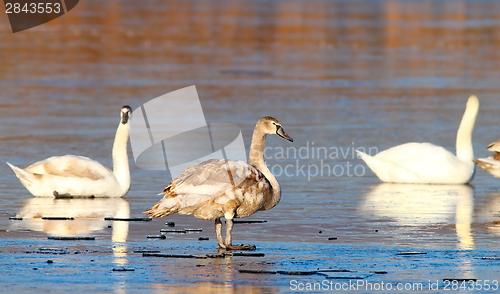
{"x":70,"y":166}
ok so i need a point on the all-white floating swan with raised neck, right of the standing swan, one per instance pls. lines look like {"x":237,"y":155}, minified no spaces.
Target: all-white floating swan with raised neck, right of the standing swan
{"x":425,"y":163}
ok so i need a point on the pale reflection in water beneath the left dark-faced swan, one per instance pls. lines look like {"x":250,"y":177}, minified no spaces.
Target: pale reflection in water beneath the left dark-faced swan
{"x":88,"y":216}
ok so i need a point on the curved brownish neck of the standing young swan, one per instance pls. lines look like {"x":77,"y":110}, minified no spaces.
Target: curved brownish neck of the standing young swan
{"x":256,"y":158}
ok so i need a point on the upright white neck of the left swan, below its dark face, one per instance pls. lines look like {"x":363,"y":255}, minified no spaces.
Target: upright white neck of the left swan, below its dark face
{"x":120,"y":158}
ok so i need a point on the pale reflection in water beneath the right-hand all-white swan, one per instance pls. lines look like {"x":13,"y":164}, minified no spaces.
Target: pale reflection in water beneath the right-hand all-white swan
{"x":421,"y":205}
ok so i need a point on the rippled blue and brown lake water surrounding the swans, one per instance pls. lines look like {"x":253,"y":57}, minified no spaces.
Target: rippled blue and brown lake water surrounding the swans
{"x":336,"y":74}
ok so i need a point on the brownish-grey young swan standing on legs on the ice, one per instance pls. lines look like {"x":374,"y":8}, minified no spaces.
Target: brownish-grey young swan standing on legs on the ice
{"x":226,"y":188}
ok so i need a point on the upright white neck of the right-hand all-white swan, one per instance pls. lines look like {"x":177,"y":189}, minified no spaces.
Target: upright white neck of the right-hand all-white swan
{"x":465,"y":151}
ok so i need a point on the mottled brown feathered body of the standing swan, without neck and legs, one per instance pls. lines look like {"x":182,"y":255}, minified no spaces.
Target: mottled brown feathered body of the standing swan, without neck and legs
{"x":212,"y":187}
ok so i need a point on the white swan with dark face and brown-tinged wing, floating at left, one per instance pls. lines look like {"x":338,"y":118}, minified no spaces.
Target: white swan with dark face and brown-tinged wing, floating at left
{"x":78,"y":176}
